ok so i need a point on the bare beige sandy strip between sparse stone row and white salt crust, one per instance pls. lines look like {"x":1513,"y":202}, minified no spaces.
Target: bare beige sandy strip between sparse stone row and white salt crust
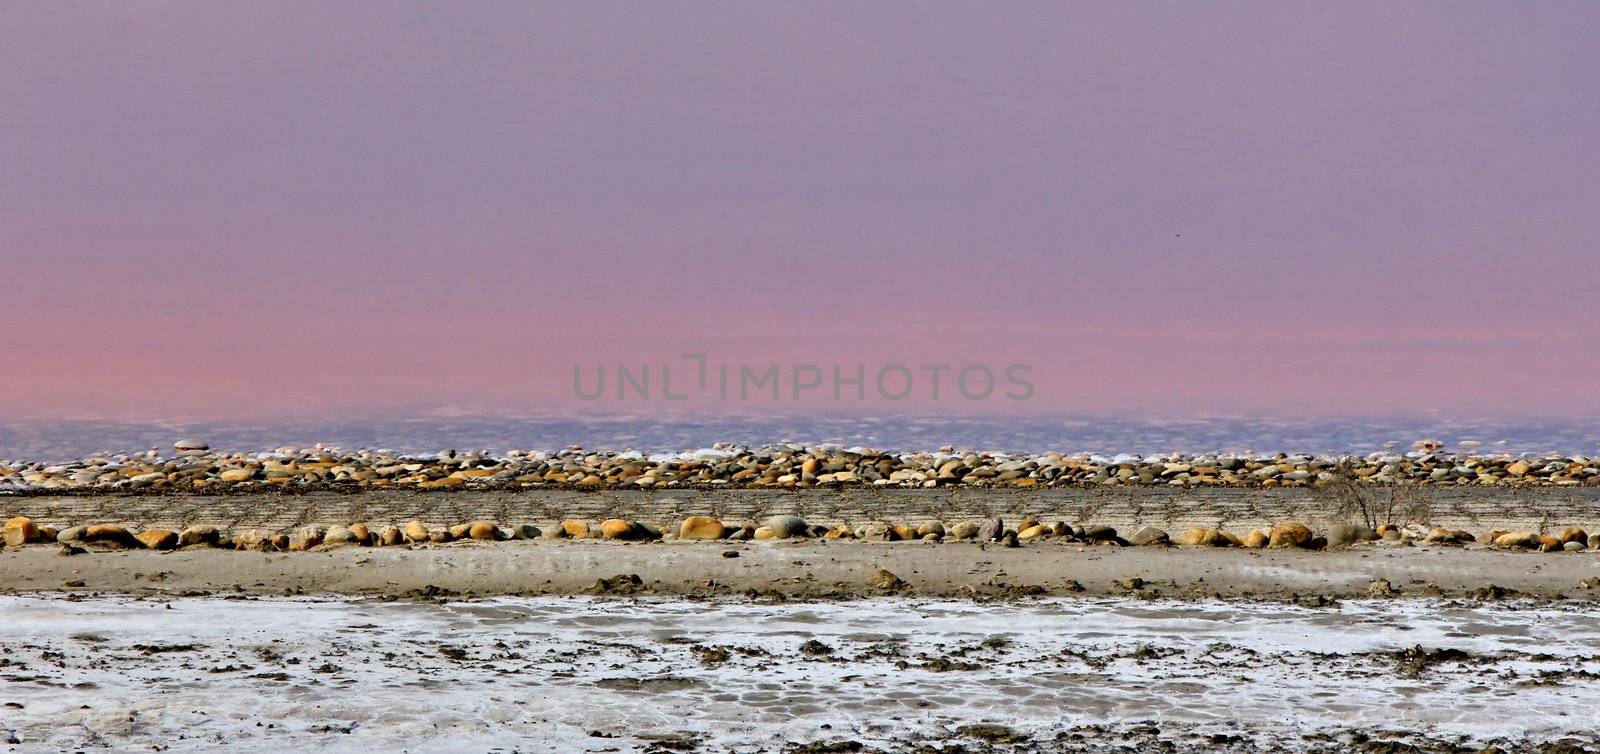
{"x":809,"y":569}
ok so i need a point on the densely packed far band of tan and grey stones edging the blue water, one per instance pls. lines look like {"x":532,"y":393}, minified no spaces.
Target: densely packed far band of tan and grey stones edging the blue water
{"x":194,"y":468}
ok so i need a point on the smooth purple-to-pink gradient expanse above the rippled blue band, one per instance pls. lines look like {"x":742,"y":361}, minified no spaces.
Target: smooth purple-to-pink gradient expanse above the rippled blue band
{"x":300,"y":207}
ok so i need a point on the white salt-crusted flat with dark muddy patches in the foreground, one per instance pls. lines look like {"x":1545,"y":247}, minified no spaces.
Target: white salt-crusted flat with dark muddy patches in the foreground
{"x":889,"y":675}
